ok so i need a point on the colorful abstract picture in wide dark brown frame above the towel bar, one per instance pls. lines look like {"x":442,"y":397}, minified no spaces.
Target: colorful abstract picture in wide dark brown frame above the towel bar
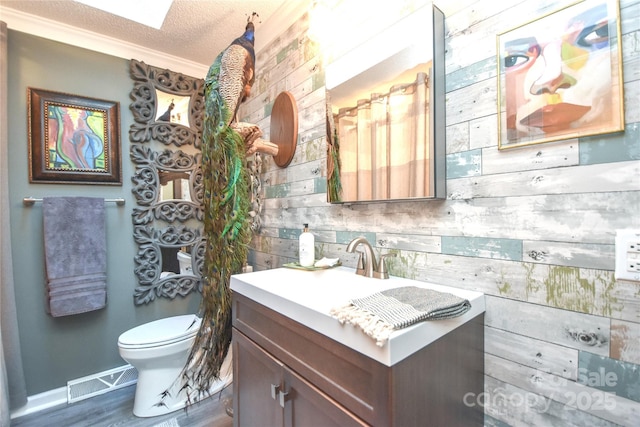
{"x":73,"y":139}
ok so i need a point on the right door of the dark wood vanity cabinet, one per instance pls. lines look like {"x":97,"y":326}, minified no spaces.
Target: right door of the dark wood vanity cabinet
{"x":305,"y":405}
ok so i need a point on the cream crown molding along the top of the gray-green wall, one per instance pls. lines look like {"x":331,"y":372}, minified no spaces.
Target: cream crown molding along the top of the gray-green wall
{"x":52,"y":30}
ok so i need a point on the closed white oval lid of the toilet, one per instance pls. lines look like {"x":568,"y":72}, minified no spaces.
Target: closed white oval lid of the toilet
{"x":161,"y":332}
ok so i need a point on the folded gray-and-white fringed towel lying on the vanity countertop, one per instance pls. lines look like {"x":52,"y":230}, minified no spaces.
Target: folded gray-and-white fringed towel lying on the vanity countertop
{"x":381,"y":313}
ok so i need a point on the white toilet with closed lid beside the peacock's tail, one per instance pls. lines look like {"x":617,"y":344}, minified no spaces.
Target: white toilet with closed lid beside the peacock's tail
{"x":159,"y":350}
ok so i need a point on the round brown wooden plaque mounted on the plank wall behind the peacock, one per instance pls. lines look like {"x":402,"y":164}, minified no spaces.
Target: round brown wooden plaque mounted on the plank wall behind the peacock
{"x":284,"y":128}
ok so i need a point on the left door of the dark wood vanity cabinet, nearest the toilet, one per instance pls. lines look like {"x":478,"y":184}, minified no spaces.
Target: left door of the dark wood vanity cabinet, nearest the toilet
{"x":256,"y":374}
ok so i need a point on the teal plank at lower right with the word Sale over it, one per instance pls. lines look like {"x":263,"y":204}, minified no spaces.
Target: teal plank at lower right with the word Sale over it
{"x":609,"y":375}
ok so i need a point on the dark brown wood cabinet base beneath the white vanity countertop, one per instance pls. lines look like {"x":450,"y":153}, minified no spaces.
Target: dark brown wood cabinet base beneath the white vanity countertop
{"x":287,"y":374}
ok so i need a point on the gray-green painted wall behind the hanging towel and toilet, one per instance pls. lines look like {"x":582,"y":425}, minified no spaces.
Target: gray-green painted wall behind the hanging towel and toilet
{"x":56,"y":350}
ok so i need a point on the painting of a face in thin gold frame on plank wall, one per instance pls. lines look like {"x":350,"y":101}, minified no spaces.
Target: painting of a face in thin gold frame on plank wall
{"x":560,"y":76}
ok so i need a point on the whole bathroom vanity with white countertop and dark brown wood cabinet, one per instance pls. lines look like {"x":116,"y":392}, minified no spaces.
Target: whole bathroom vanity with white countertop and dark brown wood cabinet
{"x":295,"y":365}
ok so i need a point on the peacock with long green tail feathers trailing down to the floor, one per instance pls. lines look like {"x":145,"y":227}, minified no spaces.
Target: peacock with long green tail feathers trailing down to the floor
{"x":226,"y":206}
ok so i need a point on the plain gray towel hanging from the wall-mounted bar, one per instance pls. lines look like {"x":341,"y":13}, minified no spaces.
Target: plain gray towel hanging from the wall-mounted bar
{"x":75,"y":254}
